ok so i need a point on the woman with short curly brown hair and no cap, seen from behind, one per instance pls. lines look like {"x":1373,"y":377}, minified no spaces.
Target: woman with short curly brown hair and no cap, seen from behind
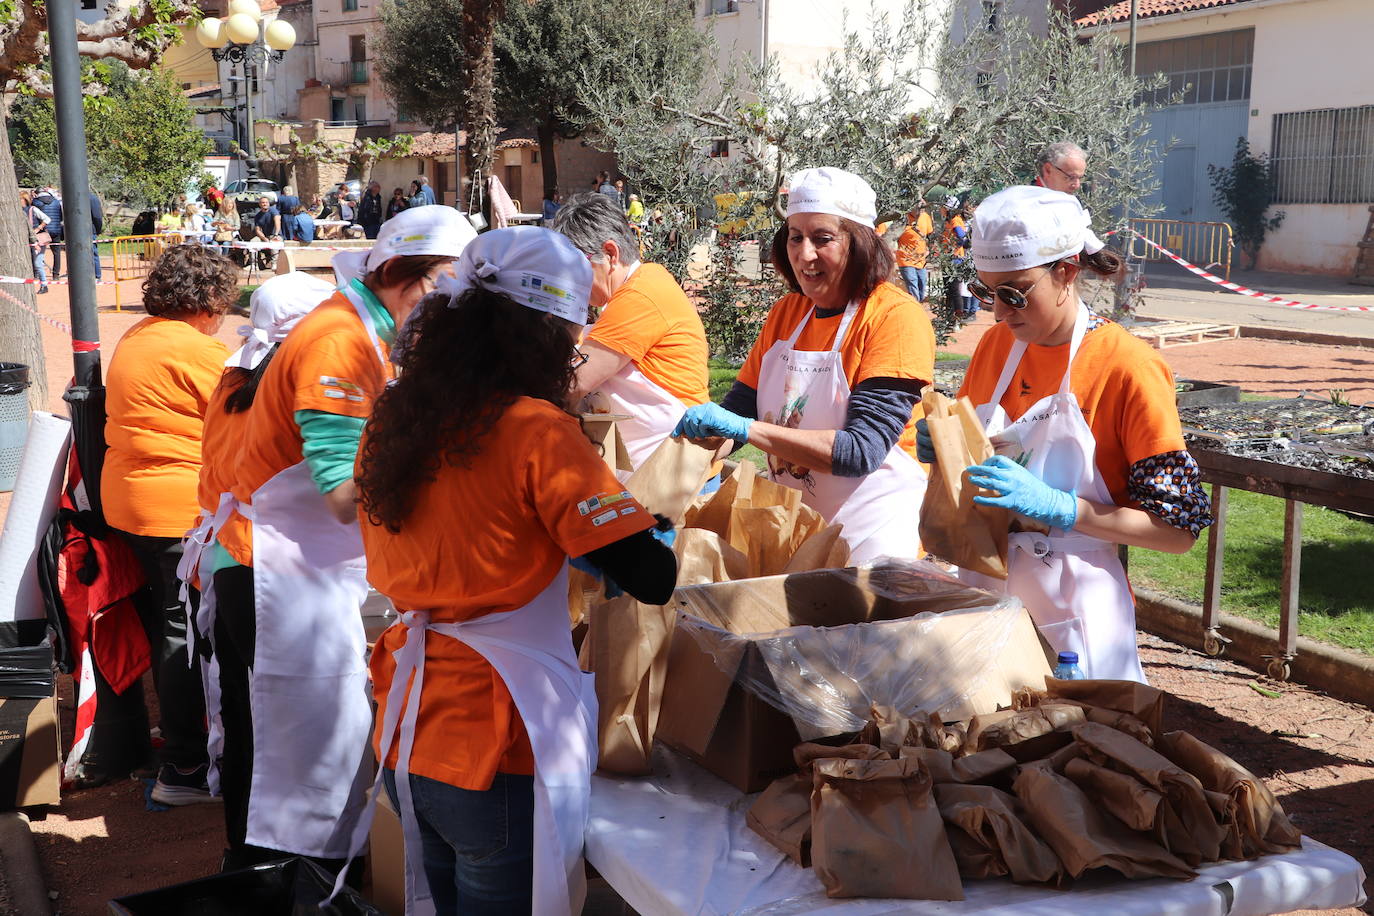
{"x":159,"y":385}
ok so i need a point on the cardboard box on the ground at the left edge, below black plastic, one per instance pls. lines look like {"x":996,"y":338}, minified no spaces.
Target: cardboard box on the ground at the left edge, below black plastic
{"x":31,"y":771}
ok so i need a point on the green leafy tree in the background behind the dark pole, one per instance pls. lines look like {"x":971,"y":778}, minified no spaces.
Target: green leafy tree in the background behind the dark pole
{"x":142,"y":141}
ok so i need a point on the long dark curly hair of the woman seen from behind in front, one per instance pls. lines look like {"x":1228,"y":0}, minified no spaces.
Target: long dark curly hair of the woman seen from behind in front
{"x":460,"y":369}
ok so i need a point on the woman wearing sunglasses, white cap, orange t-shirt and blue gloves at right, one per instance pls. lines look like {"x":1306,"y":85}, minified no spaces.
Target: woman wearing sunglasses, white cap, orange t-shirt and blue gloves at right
{"x":1086,"y":428}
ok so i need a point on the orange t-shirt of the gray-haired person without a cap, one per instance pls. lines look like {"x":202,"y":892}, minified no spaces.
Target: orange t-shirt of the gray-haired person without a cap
{"x":651,"y":321}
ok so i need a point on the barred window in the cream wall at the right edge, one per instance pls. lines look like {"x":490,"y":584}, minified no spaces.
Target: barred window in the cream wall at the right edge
{"x":1324,"y":156}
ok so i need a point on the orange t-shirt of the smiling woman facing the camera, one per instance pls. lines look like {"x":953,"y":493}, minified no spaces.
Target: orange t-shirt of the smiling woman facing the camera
{"x":890,"y":339}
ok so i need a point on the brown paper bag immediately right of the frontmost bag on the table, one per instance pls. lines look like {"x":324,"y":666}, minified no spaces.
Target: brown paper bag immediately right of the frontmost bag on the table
{"x":1000,"y":843}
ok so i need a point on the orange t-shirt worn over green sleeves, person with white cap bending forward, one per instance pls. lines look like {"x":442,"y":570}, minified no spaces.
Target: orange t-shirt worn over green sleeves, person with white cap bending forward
{"x":326,"y":363}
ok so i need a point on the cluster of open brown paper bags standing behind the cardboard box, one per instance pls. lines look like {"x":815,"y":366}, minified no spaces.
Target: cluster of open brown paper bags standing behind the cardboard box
{"x":752,"y":528}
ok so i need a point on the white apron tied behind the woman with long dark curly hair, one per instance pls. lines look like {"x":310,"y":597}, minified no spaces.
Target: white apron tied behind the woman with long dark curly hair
{"x":532,"y":652}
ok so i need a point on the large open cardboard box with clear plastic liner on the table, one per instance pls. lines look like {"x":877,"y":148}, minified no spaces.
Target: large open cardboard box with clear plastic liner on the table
{"x":722,"y":696}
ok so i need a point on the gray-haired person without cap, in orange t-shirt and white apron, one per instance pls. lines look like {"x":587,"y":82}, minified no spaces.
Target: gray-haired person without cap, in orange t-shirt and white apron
{"x":646,"y":355}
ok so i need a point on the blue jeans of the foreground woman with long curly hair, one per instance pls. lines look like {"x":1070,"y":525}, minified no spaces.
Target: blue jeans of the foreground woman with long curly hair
{"x":477,"y":847}
